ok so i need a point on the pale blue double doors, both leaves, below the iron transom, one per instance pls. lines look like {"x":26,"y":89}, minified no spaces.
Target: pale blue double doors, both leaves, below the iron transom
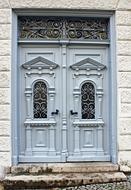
{"x":63,"y":103}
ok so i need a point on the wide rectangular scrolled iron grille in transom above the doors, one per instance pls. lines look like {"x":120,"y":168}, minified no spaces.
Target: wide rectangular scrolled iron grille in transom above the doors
{"x":40,"y":27}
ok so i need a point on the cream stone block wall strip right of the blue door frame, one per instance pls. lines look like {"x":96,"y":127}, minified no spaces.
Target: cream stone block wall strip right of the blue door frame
{"x":123,"y":26}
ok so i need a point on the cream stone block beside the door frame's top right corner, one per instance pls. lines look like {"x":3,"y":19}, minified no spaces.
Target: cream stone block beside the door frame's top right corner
{"x":123,"y":18}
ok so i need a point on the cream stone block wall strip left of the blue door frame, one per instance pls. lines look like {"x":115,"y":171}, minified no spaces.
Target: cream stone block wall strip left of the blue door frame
{"x":5,"y":65}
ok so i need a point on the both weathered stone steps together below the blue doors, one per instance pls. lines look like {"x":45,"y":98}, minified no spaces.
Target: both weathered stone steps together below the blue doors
{"x":60,"y":175}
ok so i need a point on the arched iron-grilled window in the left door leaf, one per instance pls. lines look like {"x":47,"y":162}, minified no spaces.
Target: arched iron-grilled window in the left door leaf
{"x":40,"y":100}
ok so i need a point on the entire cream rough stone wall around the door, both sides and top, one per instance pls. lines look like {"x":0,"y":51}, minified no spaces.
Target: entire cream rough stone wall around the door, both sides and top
{"x":123,"y":30}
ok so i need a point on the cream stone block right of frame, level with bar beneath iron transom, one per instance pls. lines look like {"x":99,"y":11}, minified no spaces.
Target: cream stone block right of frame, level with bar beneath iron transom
{"x":123,"y":48}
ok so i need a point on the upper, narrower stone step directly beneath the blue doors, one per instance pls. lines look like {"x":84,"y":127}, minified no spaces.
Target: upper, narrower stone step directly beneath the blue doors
{"x":37,"y":169}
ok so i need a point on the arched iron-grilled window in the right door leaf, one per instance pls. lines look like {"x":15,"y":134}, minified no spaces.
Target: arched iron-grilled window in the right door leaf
{"x":88,"y":101}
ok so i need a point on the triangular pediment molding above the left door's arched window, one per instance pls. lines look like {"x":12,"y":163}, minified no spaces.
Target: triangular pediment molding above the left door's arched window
{"x":39,"y":63}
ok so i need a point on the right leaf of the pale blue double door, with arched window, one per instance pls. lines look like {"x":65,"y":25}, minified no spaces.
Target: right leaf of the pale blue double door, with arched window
{"x":88,"y":130}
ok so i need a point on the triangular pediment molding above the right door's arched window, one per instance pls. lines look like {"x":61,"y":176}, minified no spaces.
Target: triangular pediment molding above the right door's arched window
{"x":88,"y":64}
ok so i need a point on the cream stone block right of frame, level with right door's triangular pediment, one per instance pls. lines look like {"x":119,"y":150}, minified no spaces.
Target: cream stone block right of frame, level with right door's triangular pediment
{"x":124,"y":63}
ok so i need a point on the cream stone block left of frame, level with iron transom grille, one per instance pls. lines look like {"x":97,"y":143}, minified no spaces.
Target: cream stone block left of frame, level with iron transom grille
{"x":5,"y":31}
